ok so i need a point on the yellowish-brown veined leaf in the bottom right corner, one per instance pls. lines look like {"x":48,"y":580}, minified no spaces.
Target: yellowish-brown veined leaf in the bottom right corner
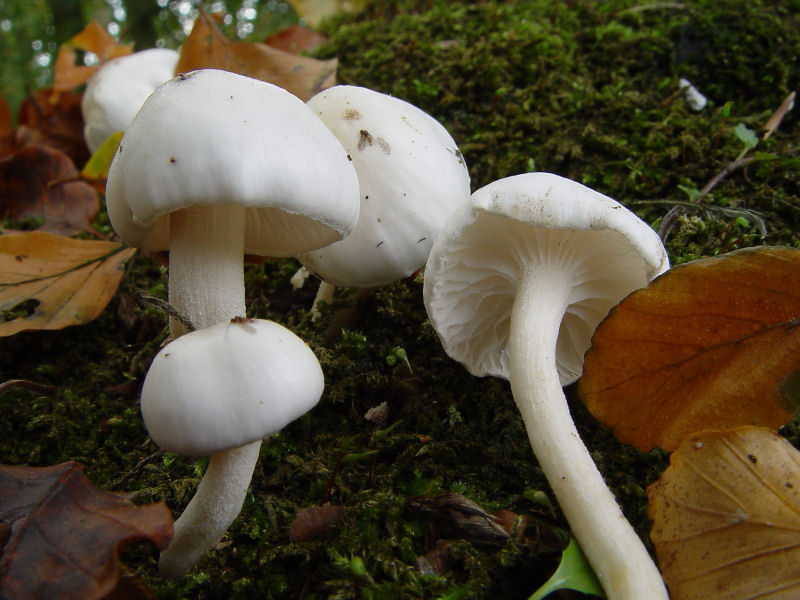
{"x":726,"y":517}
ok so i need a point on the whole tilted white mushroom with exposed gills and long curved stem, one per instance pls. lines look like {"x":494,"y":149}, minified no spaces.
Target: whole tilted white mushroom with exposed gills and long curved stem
{"x":515,"y":285}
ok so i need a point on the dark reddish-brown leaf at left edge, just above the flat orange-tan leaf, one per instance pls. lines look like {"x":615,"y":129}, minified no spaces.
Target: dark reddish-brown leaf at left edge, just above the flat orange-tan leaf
{"x":42,"y":182}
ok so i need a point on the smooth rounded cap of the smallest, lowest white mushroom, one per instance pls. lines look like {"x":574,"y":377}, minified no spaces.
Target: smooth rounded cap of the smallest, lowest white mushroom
{"x":228,"y":385}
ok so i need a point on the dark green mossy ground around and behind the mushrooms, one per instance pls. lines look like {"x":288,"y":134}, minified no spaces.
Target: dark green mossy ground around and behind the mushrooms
{"x":583,"y":89}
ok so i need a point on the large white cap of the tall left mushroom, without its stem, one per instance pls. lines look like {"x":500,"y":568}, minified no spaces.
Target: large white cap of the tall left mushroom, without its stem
{"x":212,"y":137}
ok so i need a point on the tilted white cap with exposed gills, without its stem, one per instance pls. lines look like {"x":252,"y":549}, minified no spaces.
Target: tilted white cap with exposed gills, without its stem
{"x":471,"y":277}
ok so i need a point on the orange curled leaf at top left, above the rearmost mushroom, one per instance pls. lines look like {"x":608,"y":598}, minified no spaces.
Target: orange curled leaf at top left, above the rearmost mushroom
{"x":93,"y":38}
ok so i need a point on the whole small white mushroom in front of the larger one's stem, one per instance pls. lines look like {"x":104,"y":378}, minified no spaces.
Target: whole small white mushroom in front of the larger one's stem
{"x":219,"y":391}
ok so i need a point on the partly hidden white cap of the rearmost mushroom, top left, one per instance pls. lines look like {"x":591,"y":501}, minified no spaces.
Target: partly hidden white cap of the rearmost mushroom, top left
{"x":117,"y":90}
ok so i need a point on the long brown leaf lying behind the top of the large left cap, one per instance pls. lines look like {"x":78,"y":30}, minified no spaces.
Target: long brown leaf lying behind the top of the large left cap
{"x":207,"y":48}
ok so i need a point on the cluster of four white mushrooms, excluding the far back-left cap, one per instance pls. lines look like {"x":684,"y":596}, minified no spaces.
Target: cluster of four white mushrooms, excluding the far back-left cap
{"x":215,"y":165}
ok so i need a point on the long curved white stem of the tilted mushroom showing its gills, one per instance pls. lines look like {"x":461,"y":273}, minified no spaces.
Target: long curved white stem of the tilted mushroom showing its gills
{"x":616,"y":553}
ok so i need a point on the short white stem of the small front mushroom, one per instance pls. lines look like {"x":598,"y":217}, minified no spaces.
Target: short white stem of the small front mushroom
{"x":215,"y":505}
